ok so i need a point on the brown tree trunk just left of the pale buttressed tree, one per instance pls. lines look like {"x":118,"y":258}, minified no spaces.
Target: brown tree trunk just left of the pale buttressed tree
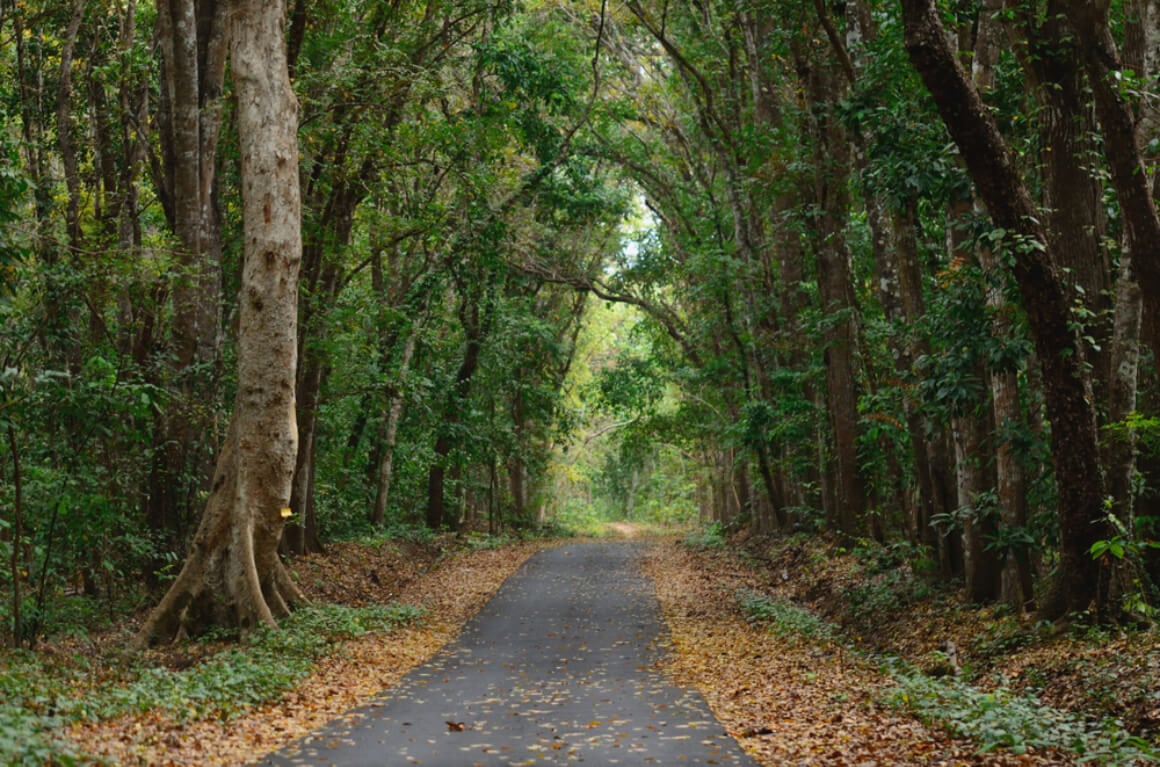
{"x":192,"y":37}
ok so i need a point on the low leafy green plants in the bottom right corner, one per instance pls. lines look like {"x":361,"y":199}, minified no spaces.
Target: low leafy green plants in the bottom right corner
{"x":1006,"y":720}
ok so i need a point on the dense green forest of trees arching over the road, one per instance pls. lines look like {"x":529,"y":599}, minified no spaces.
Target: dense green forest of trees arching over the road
{"x":883,"y":272}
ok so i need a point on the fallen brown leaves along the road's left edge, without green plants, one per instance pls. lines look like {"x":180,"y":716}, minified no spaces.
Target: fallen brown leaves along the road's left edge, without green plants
{"x":449,"y":582}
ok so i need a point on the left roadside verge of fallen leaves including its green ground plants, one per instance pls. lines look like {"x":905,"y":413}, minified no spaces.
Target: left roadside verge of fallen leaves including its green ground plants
{"x":380,"y":610}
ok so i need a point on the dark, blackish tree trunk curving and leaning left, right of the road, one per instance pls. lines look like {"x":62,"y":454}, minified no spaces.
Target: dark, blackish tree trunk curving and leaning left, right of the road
{"x":1067,"y":383}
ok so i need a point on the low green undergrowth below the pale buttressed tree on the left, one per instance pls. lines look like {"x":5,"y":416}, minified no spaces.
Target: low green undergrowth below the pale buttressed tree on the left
{"x":37,"y":701}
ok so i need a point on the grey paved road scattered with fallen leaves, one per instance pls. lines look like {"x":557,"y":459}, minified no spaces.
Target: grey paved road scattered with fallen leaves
{"x":560,"y":669}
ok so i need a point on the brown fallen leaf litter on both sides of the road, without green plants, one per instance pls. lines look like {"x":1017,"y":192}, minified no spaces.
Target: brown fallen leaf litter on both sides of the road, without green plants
{"x":789,"y":699}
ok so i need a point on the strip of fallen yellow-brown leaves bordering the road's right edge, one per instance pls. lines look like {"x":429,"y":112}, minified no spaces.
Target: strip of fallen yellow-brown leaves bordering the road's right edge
{"x":789,"y":700}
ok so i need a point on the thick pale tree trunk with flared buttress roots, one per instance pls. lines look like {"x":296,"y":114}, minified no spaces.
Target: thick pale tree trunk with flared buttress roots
{"x":234,"y":576}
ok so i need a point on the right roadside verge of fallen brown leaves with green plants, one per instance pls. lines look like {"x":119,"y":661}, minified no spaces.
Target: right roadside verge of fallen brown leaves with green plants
{"x":789,"y":642}
